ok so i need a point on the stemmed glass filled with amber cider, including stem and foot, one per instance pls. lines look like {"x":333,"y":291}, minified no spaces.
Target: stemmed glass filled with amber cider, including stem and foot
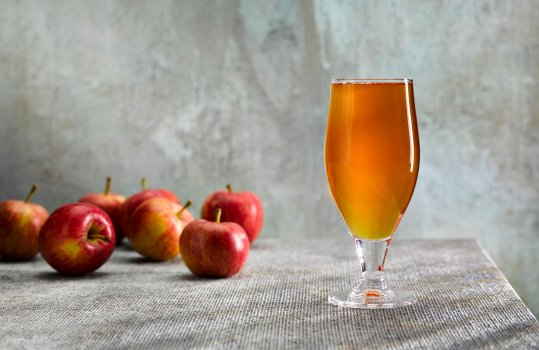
{"x":372,"y":162}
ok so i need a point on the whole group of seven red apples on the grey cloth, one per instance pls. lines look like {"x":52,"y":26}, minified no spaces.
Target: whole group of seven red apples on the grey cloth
{"x":78,"y":238}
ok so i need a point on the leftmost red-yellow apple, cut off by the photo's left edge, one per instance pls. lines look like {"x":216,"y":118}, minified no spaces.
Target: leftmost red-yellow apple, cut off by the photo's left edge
{"x":20,"y":222}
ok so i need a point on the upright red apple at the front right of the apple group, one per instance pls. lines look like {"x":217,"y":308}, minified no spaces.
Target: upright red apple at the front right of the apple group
{"x":214,"y":249}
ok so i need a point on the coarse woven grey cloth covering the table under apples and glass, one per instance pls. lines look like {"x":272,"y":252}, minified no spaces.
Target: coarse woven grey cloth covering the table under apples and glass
{"x":279,"y":300}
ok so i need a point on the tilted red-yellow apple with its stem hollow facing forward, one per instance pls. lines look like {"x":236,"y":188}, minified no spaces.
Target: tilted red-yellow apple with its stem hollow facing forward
{"x":77,"y":239}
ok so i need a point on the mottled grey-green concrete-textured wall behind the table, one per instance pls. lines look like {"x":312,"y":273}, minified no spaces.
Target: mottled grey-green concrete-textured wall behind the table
{"x":194,"y":94}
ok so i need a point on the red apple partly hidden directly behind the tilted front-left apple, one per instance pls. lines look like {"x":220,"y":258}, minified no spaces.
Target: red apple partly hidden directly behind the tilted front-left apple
{"x":111,"y":203}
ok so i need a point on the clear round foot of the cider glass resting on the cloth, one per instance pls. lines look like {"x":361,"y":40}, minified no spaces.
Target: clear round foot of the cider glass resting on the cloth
{"x":372,"y":299}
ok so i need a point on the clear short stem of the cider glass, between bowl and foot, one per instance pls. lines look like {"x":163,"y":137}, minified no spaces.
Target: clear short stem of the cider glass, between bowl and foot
{"x":372,"y":255}
